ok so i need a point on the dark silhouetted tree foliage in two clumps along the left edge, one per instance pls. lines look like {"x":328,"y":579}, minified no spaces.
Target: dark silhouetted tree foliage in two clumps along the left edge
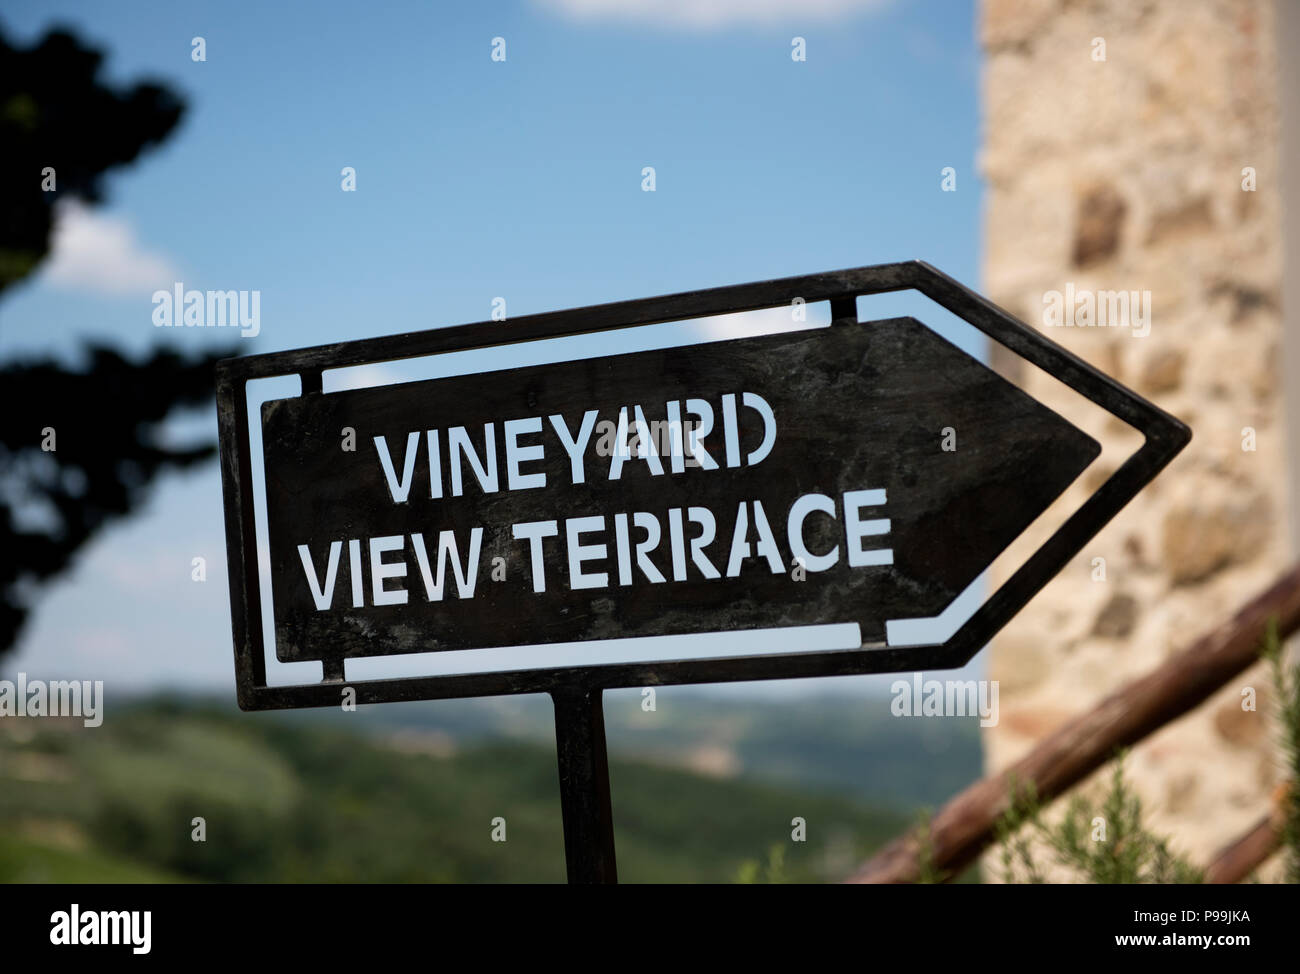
{"x":103,"y":422}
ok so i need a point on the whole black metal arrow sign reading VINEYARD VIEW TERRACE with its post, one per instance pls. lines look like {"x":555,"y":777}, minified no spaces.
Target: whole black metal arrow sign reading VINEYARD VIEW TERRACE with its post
{"x":857,"y":474}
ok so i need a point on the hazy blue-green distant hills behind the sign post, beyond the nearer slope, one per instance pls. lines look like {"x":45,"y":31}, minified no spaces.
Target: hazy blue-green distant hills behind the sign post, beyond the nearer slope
{"x":844,"y":744}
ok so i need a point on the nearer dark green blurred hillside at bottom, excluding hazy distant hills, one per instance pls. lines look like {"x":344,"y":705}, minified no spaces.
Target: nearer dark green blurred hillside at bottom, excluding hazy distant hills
{"x":294,"y":802}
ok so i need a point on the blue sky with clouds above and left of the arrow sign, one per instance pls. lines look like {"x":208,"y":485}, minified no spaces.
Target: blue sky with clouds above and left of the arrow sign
{"x":474,"y":180}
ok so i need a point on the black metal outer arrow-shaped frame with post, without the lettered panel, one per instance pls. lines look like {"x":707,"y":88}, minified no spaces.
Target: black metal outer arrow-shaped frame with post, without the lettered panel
{"x":577,"y":691}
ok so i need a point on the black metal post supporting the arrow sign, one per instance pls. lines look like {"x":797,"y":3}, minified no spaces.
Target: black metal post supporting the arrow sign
{"x":584,"y":786}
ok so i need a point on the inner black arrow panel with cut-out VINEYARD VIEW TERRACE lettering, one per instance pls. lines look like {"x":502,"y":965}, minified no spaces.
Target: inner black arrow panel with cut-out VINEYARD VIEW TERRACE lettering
{"x":860,"y":473}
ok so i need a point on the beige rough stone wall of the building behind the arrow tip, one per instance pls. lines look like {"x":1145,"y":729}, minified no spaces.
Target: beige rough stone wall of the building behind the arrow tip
{"x":1128,"y":174}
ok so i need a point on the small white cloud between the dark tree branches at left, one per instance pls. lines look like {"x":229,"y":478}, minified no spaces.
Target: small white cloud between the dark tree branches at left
{"x":99,"y":254}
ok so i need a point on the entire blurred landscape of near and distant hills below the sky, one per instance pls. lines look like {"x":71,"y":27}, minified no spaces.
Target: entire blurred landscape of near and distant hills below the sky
{"x":704,"y":789}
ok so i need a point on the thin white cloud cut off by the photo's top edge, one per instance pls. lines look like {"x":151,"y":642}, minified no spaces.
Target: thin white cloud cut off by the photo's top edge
{"x":707,"y":15}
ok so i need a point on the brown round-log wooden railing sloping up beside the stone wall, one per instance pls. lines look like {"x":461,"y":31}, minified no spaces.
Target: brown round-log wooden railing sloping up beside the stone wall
{"x":967,"y":825}
